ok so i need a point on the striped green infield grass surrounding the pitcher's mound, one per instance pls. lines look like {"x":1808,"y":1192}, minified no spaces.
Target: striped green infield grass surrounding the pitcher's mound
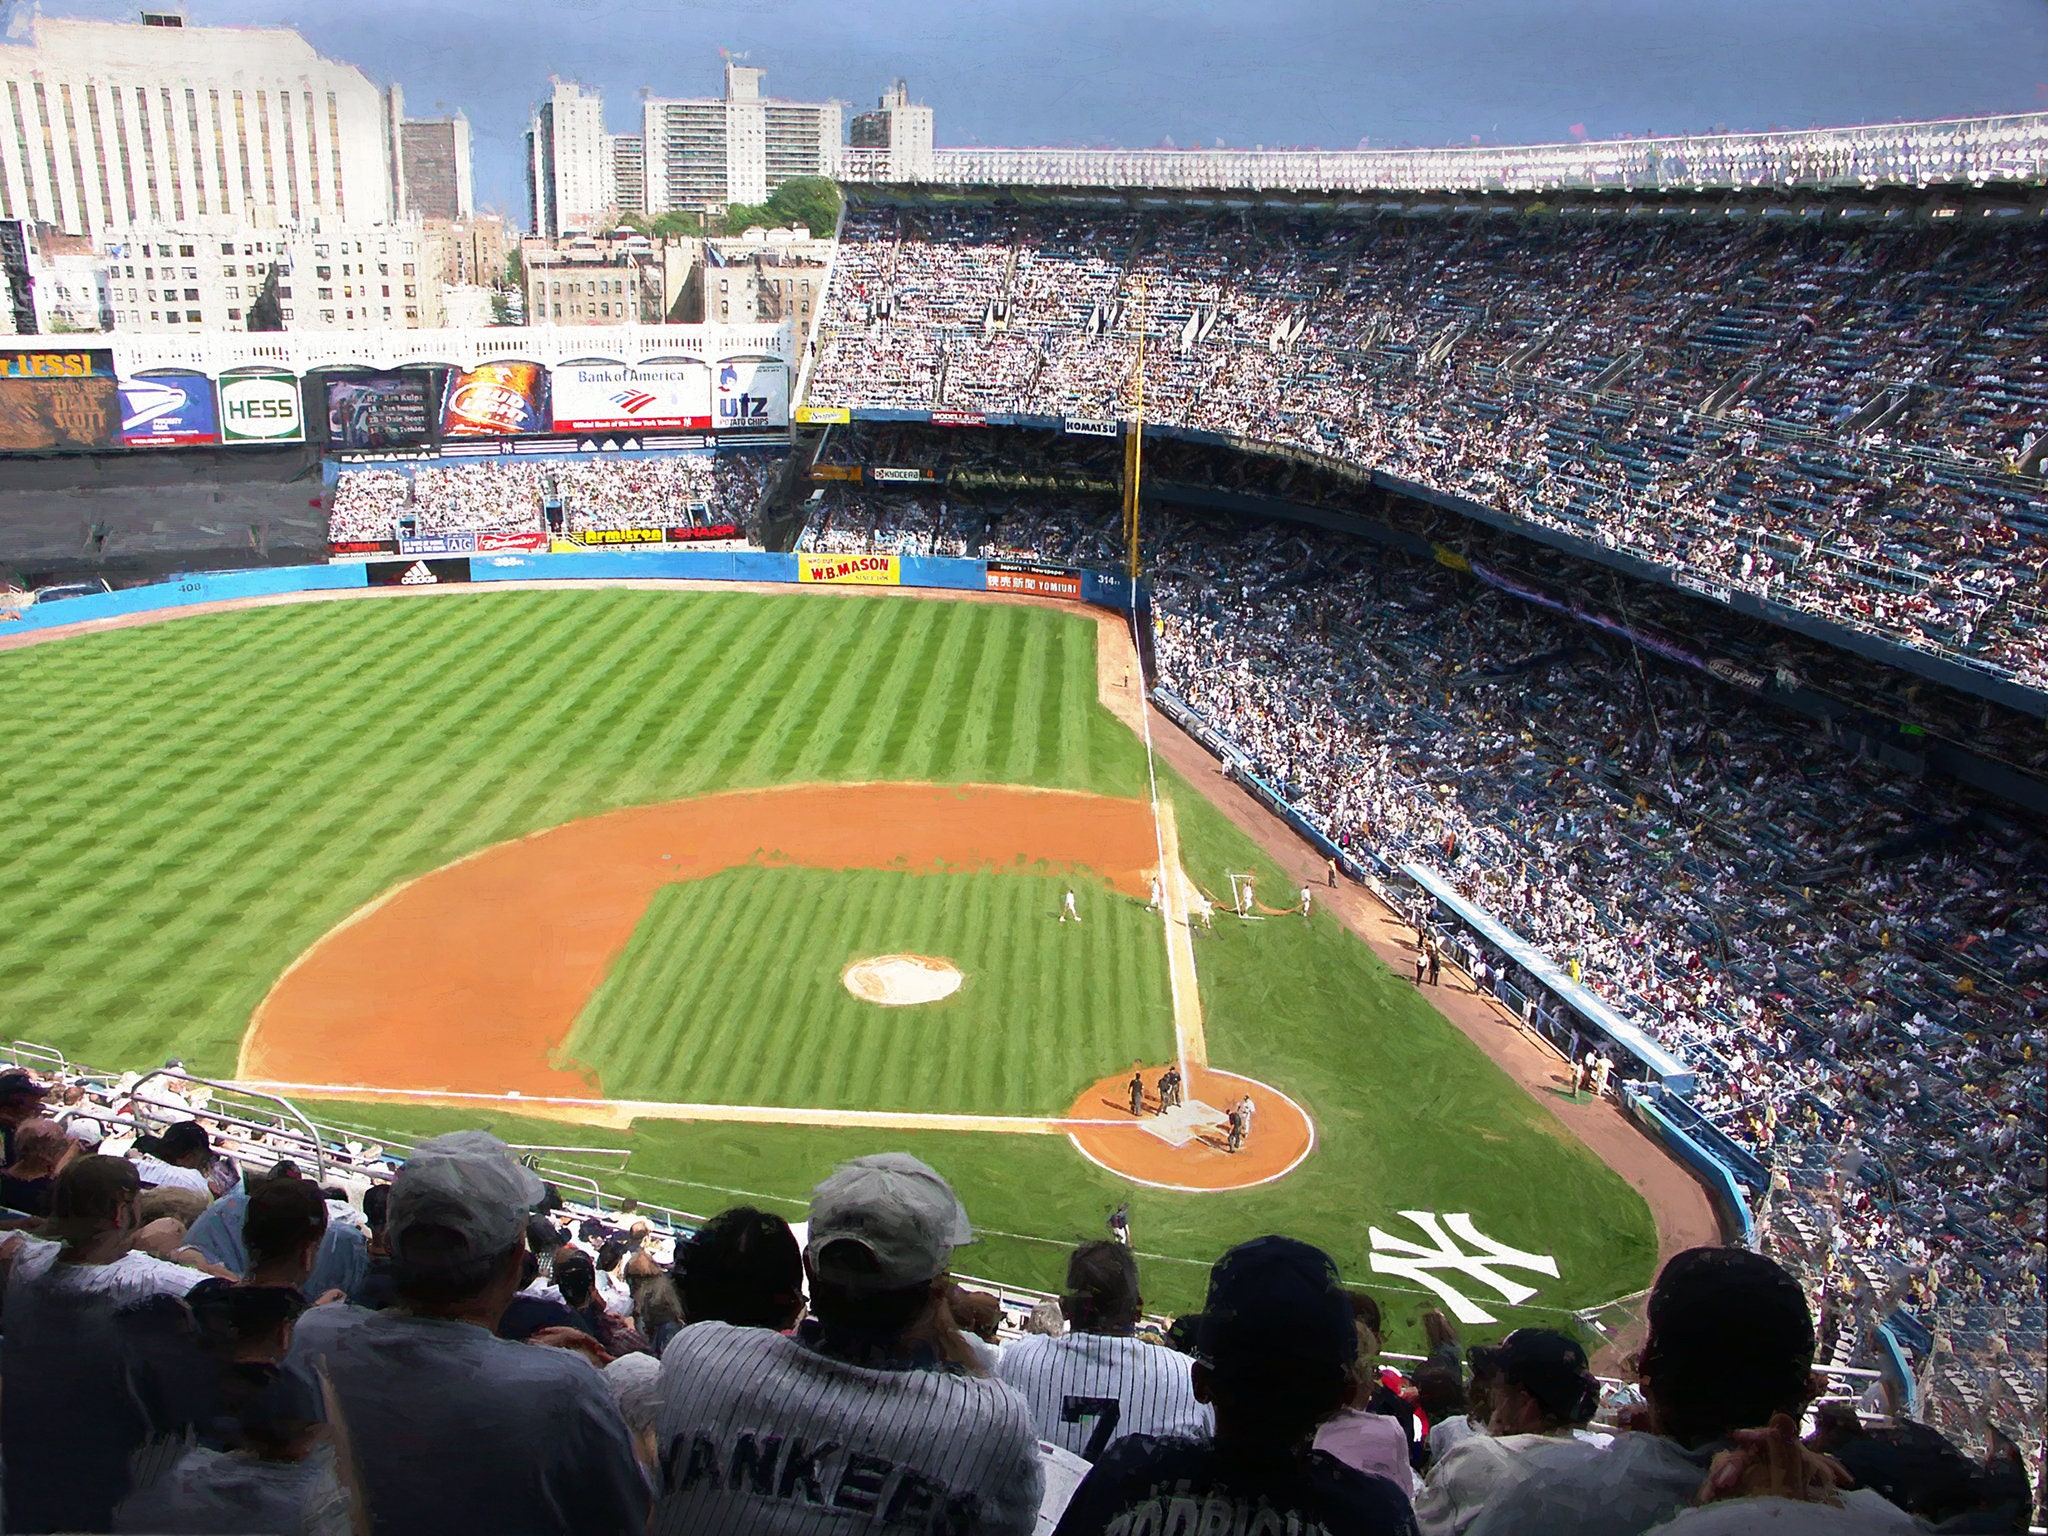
{"x":730,"y":994}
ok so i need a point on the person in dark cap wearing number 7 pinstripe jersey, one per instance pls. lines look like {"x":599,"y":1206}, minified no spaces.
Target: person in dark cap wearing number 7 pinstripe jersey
{"x":1099,"y":1383}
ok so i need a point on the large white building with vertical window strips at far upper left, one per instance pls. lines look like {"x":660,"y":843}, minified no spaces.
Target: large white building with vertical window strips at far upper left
{"x":114,"y":126}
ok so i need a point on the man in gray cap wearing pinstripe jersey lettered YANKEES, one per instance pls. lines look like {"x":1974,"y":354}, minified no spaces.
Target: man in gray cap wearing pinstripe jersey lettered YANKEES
{"x":857,"y":1420}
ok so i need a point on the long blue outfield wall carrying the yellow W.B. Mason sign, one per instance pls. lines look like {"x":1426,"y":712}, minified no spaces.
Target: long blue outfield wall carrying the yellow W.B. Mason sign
{"x":1095,"y":589}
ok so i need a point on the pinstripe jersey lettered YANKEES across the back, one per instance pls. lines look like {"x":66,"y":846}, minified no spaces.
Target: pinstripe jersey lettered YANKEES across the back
{"x":765,"y":1435}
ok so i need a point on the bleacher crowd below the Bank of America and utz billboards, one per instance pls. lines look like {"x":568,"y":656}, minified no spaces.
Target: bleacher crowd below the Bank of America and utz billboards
{"x":495,"y":497}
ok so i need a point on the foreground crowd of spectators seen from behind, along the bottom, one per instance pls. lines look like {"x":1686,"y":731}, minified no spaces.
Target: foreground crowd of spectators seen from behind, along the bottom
{"x":206,"y":1340}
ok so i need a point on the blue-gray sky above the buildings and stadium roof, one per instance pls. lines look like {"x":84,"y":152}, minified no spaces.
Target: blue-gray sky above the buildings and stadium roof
{"x":1203,"y":73}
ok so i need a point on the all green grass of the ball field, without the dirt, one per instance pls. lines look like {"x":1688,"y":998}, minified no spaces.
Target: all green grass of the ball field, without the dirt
{"x":191,"y":806}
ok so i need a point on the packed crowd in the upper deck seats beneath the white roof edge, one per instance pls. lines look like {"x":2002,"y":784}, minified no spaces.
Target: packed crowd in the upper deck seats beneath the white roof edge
{"x":1844,"y":419}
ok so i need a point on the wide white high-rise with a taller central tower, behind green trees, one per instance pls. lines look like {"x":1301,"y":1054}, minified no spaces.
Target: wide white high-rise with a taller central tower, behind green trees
{"x":736,"y":148}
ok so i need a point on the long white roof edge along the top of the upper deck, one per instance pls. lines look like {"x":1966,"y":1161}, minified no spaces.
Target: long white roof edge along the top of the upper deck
{"x":1949,"y":153}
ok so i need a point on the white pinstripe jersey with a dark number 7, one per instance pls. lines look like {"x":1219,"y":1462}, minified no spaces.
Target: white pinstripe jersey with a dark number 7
{"x":1086,"y":1392}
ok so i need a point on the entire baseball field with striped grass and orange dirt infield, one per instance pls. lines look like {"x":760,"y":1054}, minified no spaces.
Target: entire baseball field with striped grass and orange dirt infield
{"x":601,"y":867}
